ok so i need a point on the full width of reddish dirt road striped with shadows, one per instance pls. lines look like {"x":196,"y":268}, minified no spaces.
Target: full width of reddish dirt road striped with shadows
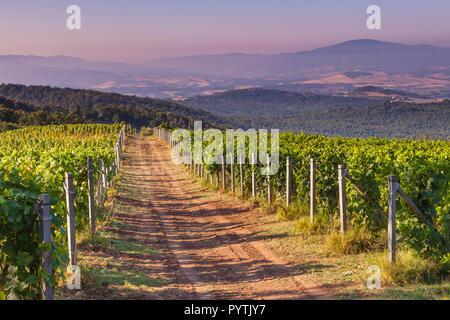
{"x":206,"y":247}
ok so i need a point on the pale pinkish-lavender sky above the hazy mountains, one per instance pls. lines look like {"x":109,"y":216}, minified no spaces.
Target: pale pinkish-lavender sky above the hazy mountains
{"x":142,"y":30}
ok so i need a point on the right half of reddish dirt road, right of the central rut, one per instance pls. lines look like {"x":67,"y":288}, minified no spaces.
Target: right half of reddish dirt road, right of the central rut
{"x":208,"y":237}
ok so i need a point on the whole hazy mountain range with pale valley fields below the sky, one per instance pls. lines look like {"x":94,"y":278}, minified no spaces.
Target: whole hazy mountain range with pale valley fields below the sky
{"x":336,"y":70}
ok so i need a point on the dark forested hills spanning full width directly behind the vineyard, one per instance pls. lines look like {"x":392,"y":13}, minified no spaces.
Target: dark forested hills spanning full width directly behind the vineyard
{"x":37,"y":105}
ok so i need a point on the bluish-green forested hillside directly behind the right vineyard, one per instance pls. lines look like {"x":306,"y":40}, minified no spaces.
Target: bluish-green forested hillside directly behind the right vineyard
{"x":399,"y":119}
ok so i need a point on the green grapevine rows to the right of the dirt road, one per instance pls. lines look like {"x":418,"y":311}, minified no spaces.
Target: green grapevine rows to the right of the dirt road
{"x":422,"y":168}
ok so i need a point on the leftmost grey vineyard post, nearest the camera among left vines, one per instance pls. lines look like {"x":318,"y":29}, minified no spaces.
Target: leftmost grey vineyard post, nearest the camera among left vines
{"x":45,"y":236}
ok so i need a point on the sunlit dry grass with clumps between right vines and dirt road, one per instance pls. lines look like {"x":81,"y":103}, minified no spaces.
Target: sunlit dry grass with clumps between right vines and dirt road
{"x":322,"y":255}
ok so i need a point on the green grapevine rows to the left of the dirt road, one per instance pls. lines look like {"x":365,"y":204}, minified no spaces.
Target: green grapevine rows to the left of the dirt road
{"x":34,"y":161}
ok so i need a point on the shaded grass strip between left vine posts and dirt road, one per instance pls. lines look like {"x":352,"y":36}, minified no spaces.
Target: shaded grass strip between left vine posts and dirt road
{"x":108,"y":259}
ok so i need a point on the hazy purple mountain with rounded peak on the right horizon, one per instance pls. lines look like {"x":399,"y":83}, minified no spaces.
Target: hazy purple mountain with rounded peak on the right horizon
{"x":365,"y":55}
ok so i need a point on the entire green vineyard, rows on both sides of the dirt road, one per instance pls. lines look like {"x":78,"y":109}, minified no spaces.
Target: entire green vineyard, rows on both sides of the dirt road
{"x":72,"y":164}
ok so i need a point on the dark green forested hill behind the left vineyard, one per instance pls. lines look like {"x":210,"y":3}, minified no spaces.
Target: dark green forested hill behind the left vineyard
{"x":99,"y":107}
